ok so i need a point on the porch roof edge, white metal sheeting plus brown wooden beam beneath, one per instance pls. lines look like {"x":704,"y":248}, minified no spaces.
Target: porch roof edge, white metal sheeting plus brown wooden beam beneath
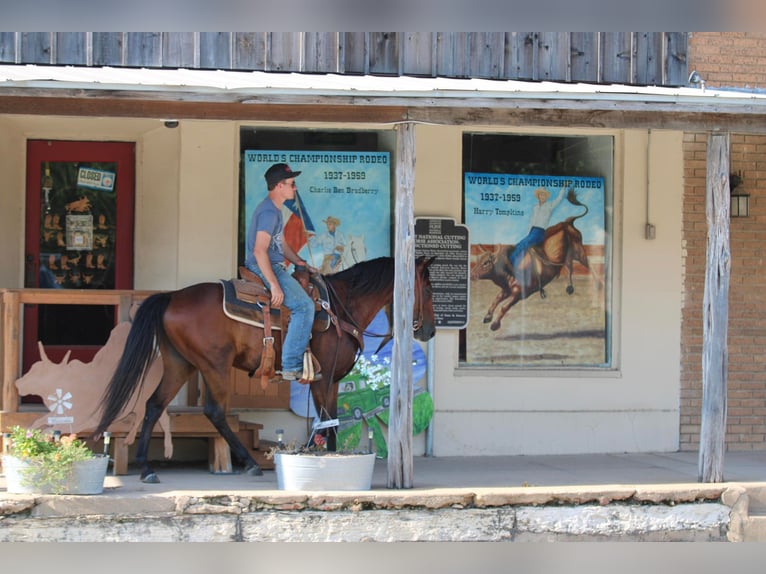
{"x":404,"y":98}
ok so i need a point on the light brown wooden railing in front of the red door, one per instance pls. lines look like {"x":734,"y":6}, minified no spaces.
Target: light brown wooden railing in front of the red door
{"x":12,"y":302}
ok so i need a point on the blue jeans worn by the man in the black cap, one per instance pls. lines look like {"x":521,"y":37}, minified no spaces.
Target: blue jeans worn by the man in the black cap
{"x":301,"y":317}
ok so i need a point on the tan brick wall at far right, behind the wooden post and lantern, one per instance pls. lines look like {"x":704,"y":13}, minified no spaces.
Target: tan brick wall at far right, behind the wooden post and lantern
{"x":730,"y":60}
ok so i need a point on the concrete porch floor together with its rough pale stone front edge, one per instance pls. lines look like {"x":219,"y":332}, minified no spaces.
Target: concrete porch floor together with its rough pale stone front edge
{"x":627,"y":497}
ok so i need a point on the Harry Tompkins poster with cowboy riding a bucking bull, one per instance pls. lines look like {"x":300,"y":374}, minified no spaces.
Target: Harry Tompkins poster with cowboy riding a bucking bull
{"x":538,"y":246}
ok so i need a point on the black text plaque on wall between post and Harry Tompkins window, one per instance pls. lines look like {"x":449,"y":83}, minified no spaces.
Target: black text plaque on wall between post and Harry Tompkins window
{"x":449,"y":272}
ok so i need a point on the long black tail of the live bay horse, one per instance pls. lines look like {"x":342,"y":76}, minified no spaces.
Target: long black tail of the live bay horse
{"x":140,"y":350}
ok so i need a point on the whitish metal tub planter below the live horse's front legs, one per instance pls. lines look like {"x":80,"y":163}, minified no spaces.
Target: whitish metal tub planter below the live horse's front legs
{"x":313,"y":467}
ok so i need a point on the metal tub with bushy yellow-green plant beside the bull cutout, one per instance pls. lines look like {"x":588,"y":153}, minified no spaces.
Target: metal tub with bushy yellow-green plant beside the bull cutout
{"x":42,"y":463}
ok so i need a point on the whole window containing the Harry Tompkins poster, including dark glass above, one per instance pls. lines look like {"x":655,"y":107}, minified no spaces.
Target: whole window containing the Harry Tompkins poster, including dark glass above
{"x":538,"y":209}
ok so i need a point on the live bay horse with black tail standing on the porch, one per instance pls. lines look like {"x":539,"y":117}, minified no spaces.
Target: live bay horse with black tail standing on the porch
{"x":191,"y":332}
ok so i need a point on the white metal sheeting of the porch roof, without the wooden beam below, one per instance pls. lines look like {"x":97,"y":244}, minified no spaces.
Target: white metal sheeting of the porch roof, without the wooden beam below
{"x":244,"y":85}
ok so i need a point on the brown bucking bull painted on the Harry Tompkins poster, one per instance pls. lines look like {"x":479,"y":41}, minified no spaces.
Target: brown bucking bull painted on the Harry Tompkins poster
{"x":543,"y":263}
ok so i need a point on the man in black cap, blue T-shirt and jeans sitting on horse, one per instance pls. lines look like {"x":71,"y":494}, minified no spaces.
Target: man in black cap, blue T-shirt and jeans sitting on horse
{"x":266,"y":252}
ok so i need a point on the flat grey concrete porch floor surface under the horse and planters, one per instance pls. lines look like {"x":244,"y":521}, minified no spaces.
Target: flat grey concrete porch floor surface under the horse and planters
{"x":475,"y":472}
